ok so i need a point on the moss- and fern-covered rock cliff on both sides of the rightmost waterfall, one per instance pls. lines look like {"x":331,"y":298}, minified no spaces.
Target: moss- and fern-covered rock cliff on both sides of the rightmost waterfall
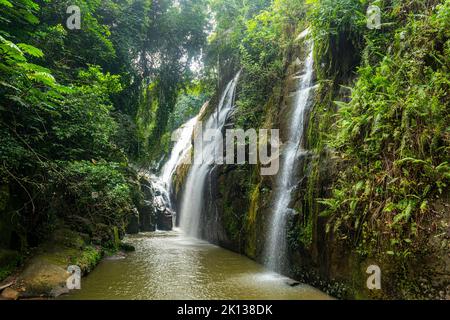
{"x":374,"y":188}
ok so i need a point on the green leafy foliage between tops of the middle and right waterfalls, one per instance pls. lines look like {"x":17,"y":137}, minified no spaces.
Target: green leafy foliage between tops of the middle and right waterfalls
{"x":262,"y":45}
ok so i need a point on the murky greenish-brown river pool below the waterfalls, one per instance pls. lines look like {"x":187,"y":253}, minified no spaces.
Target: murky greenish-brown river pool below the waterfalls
{"x":171,"y":266}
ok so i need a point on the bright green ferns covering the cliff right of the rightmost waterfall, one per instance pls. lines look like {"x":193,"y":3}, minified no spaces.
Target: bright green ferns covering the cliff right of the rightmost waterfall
{"x":393,"y":133}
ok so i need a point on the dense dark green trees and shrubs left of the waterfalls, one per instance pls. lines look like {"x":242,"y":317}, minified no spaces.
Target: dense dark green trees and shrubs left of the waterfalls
{"x":75,"y":110}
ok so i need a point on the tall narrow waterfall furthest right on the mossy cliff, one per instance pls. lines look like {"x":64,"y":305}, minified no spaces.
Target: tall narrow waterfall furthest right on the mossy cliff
{"x":276,"y":242}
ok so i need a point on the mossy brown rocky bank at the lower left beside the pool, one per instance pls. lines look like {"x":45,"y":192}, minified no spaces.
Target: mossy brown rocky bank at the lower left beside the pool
{"x":43,"y":271}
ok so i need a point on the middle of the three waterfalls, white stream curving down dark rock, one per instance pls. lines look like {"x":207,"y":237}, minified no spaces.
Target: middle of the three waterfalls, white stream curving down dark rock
{"x":193,"y":196}
